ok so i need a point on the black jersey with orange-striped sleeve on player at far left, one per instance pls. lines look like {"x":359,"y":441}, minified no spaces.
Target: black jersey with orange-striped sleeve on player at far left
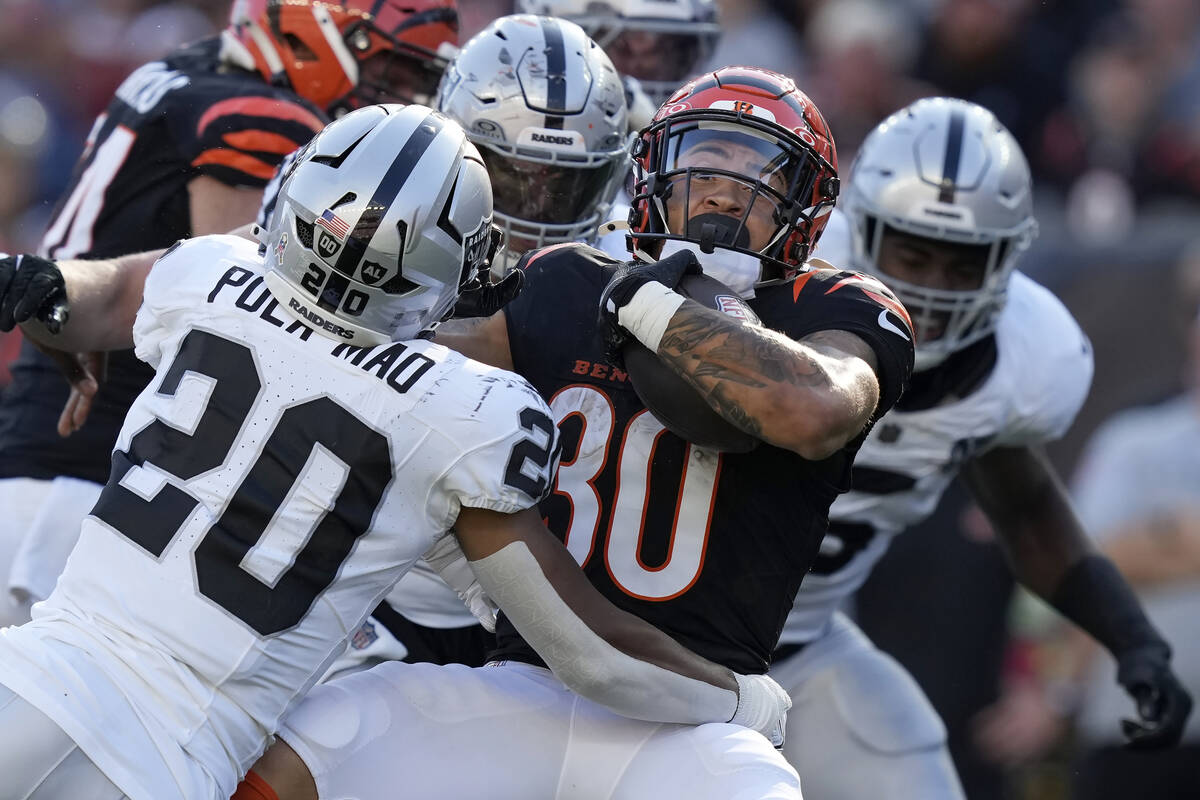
{"x":171,"y":122}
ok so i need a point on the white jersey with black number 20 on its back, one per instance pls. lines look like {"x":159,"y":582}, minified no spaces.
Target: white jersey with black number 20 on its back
{"x":268,"y":490}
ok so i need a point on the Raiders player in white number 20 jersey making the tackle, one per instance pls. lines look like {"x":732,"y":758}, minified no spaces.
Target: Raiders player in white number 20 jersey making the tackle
{"x":302,"y":446}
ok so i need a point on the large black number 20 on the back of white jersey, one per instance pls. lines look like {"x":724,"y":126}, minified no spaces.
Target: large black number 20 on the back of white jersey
{"x":154,"y":519}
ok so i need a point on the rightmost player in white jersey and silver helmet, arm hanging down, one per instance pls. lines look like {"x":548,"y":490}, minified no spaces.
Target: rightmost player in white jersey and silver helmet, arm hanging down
{"x":939,"y":203}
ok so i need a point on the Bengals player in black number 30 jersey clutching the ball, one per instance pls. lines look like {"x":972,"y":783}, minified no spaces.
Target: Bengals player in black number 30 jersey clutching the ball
{"x":740,"y":172}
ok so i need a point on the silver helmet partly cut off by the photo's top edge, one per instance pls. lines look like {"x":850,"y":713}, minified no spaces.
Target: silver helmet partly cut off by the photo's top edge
{"x":661,"y":43}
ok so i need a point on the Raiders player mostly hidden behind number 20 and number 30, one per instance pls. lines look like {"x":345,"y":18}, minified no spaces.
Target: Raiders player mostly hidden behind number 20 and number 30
{"x":543,"y":105}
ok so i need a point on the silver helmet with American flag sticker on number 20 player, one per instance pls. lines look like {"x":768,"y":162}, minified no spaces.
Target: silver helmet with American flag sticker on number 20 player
{"x":381,"y":222}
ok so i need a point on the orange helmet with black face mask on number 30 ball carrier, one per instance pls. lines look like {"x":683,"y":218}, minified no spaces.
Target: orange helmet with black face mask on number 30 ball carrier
{"x":785,"y":172}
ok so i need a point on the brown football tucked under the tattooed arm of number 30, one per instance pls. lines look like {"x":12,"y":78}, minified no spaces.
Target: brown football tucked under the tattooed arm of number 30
{"x":670,"y":398}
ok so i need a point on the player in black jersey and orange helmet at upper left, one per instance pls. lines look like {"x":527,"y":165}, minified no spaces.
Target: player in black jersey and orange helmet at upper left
{"x":185,"y":148}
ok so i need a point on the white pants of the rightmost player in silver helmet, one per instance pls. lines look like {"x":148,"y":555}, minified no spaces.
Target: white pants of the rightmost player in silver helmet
{"x":860,"y":726}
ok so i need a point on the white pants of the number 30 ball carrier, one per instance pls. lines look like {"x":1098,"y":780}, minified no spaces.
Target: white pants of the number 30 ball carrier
{"x":513,"y":732}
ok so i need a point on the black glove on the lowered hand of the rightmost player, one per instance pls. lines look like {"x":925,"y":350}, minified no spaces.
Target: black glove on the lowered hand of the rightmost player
{"x":1163,"y":705}
